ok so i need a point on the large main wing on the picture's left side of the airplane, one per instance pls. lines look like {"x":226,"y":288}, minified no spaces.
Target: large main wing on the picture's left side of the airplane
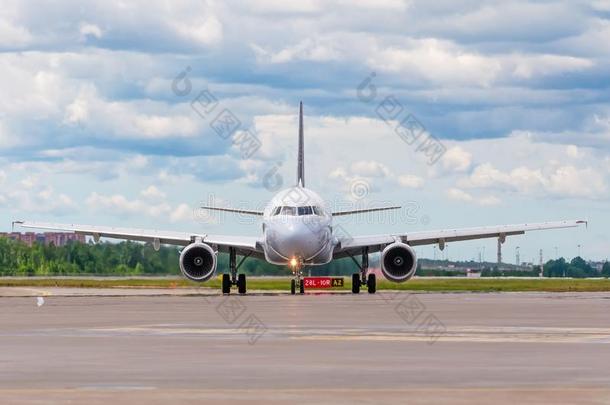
{"x":245,"y":244}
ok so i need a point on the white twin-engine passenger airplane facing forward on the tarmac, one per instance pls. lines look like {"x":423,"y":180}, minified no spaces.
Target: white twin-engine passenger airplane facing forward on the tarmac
{"x":297,"y":231}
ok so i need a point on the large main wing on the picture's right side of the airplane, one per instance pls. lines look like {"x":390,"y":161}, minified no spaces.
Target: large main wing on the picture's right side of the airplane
{"x":353,"y":245}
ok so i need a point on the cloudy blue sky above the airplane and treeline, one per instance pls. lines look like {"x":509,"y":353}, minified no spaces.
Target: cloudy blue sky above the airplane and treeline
{"x":465,"y":113}
